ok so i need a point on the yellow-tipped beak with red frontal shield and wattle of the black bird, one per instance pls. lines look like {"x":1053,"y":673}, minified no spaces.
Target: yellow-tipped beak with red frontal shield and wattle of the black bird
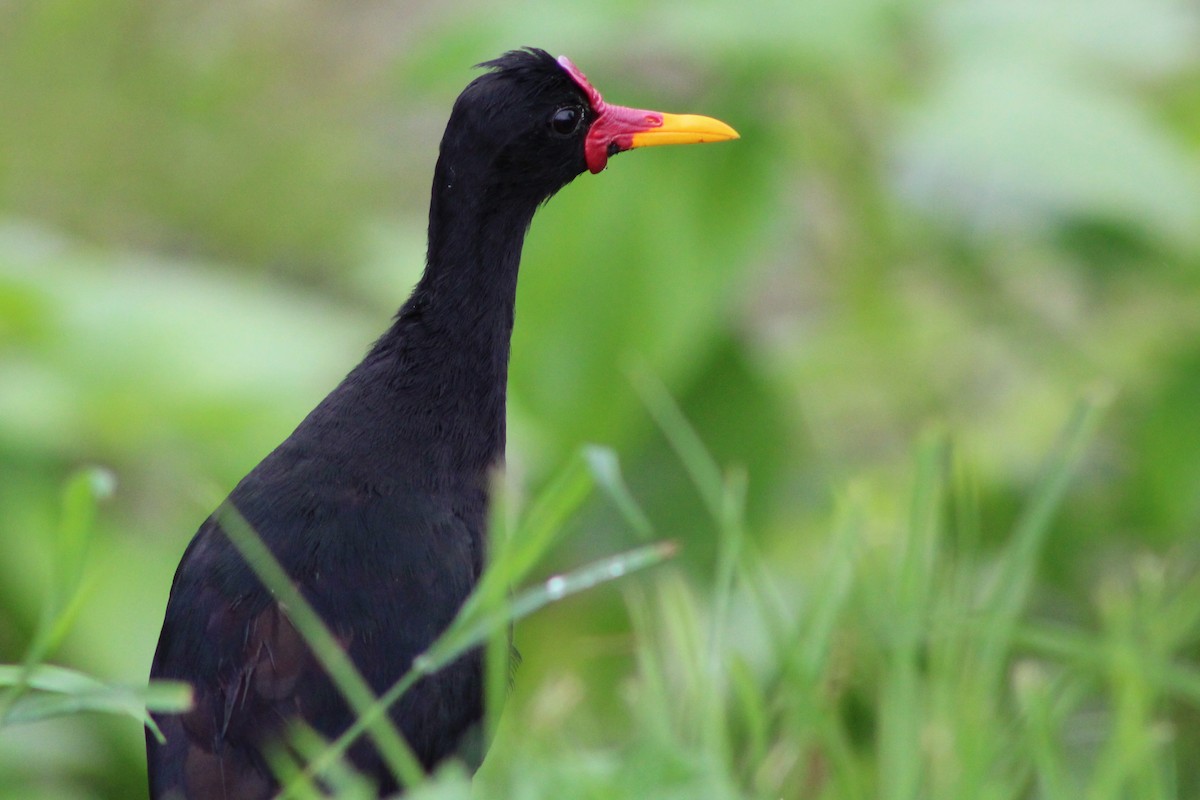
{"x":616,"y":128}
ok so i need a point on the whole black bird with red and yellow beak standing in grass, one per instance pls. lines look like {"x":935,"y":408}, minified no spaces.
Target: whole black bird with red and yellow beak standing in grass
{"x":377,"y":504}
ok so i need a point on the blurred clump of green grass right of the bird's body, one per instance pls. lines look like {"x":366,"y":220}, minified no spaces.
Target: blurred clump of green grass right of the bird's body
{"x":913,"y":666}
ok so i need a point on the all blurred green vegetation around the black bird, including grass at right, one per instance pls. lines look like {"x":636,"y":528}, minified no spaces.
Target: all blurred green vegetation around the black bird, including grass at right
{"x":961,"y":215}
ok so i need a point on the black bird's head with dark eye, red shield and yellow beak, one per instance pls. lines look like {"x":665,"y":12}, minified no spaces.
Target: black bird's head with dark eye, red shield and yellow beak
{"x":543,"y":123}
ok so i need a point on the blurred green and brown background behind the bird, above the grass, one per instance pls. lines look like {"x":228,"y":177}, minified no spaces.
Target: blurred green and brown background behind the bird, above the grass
{"x":953,"y":214}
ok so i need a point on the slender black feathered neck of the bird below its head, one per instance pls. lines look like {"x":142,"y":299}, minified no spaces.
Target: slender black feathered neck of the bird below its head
{"x":448,"y":351}
